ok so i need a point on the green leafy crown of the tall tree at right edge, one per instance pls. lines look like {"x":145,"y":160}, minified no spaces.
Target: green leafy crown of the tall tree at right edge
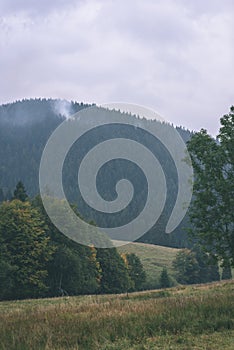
{"x":212,"y":212}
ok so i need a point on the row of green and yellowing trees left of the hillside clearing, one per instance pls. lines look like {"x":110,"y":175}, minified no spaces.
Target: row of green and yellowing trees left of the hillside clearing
{"x":36,"y":260}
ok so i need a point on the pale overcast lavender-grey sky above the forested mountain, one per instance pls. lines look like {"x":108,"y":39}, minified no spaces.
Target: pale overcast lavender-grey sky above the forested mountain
{"x":174,"y":56}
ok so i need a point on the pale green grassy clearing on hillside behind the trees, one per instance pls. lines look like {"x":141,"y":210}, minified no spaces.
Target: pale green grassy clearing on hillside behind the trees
{"x":153,"y":258}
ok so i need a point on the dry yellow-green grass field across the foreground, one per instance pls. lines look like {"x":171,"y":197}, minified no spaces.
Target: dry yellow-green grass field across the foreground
{"x":192,"y":317}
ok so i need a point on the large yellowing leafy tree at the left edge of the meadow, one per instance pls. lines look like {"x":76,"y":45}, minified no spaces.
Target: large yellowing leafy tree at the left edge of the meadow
{"x":25,"y":250}
